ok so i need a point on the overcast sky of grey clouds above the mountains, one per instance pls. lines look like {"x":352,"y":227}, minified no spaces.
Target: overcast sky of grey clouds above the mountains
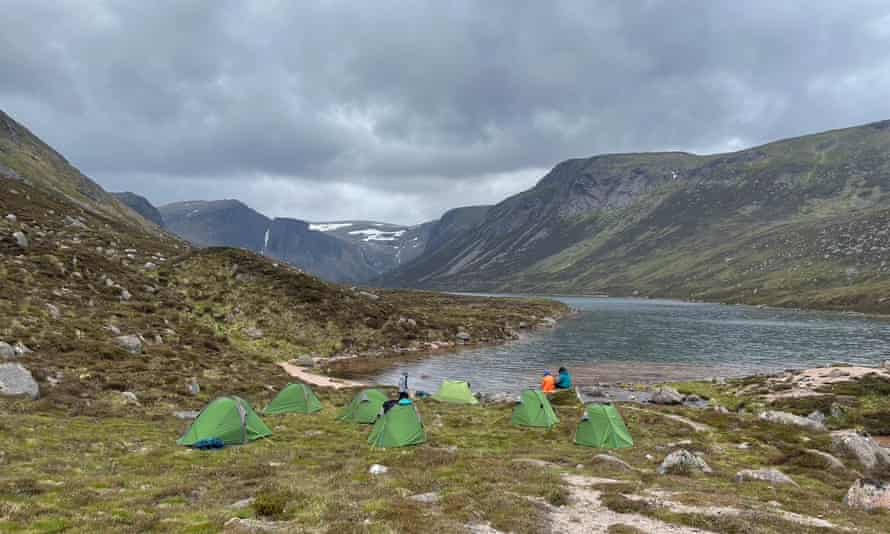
{"x":397,"y":111}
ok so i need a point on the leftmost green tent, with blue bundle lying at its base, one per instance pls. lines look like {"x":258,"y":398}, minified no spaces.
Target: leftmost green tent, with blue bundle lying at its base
{"x":228,"y":419}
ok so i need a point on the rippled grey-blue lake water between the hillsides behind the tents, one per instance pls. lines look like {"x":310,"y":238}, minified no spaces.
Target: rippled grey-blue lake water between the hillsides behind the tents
{"x":638,"y":340}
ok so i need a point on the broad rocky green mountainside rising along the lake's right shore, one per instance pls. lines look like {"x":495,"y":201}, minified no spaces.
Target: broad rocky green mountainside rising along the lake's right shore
{"x":798,"y":222}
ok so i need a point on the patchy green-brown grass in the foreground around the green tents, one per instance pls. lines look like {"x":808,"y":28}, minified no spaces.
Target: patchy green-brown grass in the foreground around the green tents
{"x":123,"y":474}
